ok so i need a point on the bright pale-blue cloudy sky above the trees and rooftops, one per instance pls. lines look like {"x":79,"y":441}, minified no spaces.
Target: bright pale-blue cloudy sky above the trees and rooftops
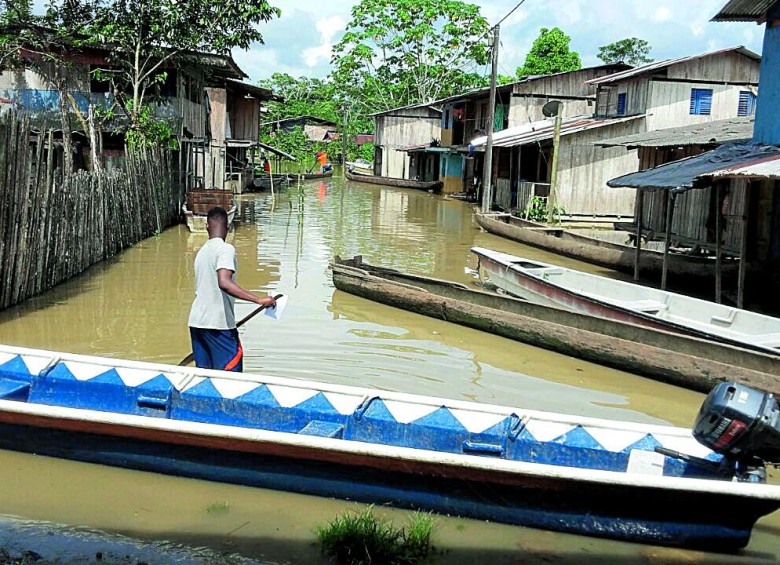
{"x":299,"y":43}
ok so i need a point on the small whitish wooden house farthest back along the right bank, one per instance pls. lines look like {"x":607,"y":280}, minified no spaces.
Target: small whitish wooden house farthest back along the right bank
{"x":399,"y":134}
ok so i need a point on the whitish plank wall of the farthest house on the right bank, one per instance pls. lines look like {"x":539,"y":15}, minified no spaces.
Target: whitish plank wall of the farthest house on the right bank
{"x":413,"y":126}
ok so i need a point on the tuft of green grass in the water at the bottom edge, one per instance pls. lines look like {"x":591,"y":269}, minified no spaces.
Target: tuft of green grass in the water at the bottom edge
{"x":360,"y":538}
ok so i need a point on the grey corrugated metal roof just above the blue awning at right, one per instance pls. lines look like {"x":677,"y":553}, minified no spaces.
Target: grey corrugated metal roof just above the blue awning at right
{"x":710,"y":133}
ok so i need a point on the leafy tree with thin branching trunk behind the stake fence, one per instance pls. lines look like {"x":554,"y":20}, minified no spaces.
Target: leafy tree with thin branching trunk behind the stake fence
{"x":144,"y":37}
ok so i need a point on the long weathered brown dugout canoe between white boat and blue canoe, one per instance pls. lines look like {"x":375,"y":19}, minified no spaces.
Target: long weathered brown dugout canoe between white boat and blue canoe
{"x":689,"y":362}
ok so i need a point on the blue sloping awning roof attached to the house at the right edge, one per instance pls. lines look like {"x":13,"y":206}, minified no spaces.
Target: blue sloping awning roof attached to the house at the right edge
{"x":694,"y":172}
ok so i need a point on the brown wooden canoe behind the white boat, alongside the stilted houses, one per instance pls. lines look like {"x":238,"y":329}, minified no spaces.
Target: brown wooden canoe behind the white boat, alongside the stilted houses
{"x":596,"y":251}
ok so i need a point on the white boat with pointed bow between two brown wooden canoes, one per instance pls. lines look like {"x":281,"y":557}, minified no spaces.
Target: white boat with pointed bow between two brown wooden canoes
{"x":552,"y":285}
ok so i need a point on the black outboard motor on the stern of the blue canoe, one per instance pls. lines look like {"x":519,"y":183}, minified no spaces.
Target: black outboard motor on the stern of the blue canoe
{"x":742,"y":424}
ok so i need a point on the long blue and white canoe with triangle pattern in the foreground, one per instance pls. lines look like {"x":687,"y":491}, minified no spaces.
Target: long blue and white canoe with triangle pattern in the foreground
{"x":565,"y":473}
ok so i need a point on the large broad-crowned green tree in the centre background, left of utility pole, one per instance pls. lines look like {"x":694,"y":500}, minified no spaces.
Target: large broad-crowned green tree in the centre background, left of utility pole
{"x":400,"y":52}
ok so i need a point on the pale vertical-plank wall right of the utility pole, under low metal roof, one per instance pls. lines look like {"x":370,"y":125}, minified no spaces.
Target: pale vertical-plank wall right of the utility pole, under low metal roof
{"x":584,"y":169}
